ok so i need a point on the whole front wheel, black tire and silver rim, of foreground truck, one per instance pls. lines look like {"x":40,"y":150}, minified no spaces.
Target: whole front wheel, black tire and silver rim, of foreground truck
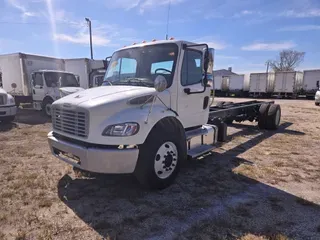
{"x":161,"y":155}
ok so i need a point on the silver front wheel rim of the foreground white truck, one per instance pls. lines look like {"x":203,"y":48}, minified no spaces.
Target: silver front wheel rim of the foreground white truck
{"x":166,"y":159}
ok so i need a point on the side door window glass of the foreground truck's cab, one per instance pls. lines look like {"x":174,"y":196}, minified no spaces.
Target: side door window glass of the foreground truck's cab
{"x":191,"y":72}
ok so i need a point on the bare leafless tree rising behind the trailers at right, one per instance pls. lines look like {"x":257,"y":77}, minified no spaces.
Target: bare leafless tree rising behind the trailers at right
{"x":288,"y":60}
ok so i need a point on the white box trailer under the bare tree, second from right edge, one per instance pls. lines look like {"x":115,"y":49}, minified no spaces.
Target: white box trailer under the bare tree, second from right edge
{"x":288,"y":83}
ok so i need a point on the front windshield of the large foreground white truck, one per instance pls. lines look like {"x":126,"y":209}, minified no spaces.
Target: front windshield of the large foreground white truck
{"x":141,"y":65}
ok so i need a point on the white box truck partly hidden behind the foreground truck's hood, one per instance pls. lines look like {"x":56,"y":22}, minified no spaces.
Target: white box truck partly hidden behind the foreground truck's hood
{"x":90,"y":72}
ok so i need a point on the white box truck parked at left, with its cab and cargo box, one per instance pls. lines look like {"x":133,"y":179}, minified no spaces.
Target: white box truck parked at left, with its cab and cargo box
{"x":25,"y":78}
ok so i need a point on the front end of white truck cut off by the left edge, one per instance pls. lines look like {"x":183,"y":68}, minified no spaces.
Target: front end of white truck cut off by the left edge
{"x":8,"y":107}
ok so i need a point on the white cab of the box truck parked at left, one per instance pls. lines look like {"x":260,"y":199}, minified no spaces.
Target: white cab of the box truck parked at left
{"x":50,"y":85}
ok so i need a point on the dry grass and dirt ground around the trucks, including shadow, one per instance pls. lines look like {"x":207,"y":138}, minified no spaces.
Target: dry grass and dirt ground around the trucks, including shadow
{"x":258,"y":185}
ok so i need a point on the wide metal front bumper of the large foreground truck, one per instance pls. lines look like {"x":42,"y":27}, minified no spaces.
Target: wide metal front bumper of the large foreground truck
{"x":95,"y":159}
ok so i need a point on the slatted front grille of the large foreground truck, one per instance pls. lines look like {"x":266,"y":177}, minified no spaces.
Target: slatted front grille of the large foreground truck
{"x":74,"y":122}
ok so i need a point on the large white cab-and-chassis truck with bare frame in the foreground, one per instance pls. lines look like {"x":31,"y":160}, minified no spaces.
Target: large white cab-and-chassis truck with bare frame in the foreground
{"x":152,"y":112}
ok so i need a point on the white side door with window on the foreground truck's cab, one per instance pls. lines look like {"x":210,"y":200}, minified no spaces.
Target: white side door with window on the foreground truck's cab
{"x":193,"y":108}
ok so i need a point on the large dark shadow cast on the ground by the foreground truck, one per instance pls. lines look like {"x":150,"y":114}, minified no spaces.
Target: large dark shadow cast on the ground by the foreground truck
{"x":207,"y":201}
